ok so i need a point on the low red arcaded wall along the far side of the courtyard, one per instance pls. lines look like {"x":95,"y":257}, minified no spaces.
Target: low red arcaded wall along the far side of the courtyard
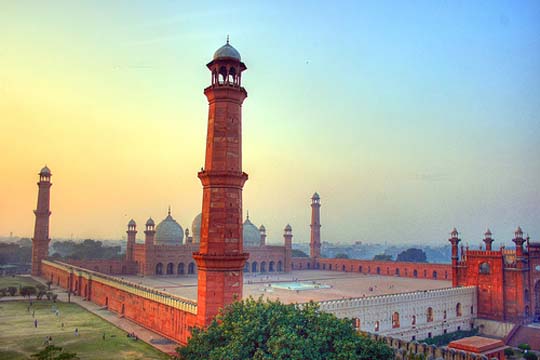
{"x":387,"y":268}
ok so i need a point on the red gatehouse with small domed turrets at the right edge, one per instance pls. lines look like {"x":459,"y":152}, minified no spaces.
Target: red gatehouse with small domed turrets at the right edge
{"x":508,"y":281}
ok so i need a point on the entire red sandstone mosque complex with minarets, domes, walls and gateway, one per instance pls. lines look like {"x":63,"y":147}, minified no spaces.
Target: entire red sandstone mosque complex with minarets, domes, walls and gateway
{"x":497,"y":288}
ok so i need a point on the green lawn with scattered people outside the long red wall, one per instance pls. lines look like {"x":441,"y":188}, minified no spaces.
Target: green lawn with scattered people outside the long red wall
{"x":19,"y":338}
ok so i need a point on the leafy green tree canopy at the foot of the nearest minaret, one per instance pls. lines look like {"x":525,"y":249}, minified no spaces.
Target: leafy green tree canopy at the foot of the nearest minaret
{"x":257,"y":329}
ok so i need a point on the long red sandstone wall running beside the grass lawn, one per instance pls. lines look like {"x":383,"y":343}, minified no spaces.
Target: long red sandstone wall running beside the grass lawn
{"x":163,"y":319}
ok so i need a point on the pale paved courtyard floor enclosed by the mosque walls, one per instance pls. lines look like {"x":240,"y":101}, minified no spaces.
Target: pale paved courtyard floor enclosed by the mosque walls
{"x":341,"y":285}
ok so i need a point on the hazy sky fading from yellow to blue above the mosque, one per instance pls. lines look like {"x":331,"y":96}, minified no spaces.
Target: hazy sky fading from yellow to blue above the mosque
{"x":407,"y":117}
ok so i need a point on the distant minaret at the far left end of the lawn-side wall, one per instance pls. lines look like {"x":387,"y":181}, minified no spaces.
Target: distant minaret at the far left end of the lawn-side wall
{"x":40,"y":241}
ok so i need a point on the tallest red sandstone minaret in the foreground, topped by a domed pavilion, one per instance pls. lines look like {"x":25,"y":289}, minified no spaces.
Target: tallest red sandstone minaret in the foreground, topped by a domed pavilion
{"x":221,"y":258}
